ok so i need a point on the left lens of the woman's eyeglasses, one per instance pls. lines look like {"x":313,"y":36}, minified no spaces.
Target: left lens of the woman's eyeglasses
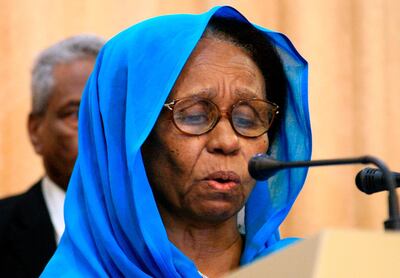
{"x":195,"y":116}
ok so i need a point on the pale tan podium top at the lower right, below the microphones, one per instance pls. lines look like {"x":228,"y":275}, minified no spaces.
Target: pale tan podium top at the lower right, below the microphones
{"x":333,"y":254}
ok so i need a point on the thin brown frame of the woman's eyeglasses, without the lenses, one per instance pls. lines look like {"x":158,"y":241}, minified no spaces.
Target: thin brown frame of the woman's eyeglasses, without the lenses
{"x":171,"y":105}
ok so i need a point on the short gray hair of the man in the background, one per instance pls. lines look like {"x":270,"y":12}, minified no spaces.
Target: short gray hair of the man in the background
{"x":65,"y":51}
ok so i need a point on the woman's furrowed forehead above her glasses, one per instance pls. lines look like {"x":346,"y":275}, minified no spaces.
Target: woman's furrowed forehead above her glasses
{"x":218,"y":67}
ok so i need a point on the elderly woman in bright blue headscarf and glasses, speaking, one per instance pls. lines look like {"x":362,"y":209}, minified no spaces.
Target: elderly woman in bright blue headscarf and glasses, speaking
{"x":174,"y":110}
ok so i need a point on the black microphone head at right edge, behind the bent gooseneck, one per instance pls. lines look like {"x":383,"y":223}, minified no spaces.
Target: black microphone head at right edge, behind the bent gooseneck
{"x":370,"y":180}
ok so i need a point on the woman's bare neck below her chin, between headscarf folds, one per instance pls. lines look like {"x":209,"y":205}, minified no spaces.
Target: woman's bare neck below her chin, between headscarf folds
{"x":214,"y":248}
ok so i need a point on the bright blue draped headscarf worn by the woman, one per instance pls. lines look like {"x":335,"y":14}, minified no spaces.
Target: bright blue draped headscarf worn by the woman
{"x":113,"y":227}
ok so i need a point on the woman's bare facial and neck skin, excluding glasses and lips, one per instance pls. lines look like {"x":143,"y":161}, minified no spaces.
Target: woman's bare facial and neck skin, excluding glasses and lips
{"x":200,"y":219}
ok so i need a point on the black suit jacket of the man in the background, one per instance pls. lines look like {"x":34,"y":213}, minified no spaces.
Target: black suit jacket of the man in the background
{"x":27,"y":239}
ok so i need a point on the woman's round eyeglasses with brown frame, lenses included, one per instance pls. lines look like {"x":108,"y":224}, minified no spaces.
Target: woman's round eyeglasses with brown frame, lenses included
{"x":196,"y":116}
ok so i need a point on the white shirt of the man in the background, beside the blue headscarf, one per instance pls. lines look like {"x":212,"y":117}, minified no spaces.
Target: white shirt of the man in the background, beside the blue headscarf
{"x":54,"y":198}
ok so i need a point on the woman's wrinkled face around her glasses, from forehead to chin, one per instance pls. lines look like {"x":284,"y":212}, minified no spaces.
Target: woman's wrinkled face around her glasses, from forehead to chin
{"x":205,"y":178}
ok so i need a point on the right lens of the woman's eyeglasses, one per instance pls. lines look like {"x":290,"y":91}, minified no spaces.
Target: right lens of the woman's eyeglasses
{"x":252,"y":118}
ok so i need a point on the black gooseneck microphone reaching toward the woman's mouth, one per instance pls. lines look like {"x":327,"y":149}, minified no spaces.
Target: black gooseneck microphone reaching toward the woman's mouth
{"x":262,"y":166}
